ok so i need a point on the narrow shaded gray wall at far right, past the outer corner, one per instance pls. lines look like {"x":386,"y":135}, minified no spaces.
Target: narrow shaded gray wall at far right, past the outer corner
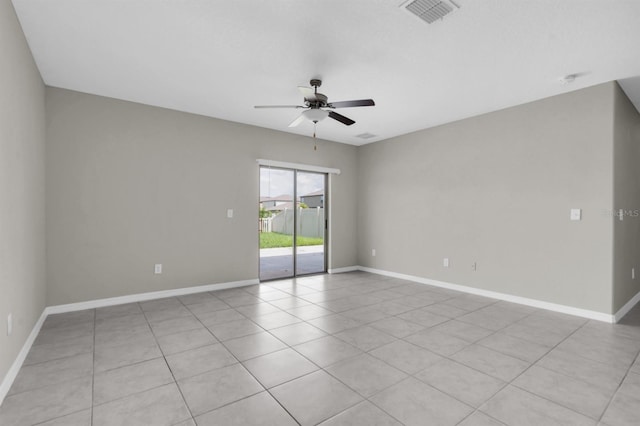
{"x":626,"y":197}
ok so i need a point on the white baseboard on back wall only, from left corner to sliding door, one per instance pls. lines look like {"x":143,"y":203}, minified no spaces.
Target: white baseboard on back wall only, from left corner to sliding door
{"x":141,"y":297}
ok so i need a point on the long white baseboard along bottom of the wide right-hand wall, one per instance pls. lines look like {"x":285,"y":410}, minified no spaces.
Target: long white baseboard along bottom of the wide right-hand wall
{"x":570,"y":310}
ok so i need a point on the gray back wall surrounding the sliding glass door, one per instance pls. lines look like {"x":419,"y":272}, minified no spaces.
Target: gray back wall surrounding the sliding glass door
{"x":130,"y":185}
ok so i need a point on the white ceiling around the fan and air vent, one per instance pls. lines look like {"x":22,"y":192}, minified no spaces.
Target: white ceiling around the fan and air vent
{"x":220,"y":57}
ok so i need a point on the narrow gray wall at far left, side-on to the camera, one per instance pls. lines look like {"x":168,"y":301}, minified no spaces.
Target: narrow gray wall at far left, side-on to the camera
{"x":22,"y":147}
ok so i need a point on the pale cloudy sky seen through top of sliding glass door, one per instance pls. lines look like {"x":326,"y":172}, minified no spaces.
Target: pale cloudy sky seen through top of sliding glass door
{"x":275,"y":182}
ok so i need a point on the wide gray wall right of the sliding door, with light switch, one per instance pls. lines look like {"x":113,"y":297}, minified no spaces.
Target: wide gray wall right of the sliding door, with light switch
{"x":497,"y":190}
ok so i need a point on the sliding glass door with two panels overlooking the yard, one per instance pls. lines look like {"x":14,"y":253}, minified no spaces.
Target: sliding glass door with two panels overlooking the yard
{"x":292,"y":223}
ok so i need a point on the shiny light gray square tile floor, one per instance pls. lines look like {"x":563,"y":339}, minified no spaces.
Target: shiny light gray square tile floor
{"x":347,"y":349}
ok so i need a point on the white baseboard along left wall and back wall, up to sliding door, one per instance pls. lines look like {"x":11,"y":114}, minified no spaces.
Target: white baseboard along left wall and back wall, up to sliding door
{"x":100,"y":303}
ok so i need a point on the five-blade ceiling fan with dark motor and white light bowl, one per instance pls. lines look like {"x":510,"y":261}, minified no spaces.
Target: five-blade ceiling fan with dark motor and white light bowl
{"x":317,"y":106}
